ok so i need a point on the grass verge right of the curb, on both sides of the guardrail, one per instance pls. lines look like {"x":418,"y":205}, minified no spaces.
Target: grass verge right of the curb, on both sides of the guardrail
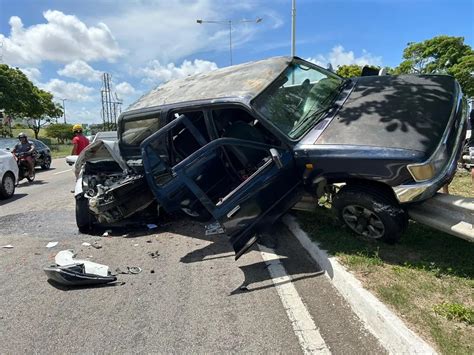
{"x":427,"y":278}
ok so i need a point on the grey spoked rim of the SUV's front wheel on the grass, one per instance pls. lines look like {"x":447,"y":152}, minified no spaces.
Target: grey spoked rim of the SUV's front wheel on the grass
{"x":363,"y":221}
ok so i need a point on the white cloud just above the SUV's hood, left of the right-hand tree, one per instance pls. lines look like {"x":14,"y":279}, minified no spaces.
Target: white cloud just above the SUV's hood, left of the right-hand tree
{"x":339,"y":56}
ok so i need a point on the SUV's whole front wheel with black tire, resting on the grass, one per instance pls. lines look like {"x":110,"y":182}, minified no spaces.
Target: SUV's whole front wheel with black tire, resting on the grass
{"x":371,"y":213}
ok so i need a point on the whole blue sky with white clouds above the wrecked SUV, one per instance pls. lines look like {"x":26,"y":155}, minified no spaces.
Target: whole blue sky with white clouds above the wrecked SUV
{"x":64,"y":46}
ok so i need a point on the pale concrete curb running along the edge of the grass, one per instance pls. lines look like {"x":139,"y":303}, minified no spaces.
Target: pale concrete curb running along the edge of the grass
{"x":390,"y":330}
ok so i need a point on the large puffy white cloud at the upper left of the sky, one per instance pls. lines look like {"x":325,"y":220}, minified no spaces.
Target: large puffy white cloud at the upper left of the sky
{"x":63,"y":38}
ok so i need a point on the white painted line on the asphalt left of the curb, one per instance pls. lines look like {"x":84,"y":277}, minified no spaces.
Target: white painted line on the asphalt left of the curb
{"x":310,"y":339}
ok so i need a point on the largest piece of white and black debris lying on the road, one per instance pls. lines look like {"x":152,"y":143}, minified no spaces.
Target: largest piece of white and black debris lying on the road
{"x":74,"y":272}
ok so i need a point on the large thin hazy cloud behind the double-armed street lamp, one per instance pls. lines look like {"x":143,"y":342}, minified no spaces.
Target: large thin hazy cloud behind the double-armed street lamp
{"x":168,"y":31}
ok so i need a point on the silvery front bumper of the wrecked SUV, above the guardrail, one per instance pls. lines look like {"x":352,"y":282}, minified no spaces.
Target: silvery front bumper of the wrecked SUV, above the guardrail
{"x":423,"y":190}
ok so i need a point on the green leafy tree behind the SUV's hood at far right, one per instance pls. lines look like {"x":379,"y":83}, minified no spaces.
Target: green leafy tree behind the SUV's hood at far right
{"x":443,"y":55}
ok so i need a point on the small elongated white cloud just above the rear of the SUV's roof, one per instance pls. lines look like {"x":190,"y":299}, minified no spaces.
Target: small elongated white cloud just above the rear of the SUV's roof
{"x":156,"y":72}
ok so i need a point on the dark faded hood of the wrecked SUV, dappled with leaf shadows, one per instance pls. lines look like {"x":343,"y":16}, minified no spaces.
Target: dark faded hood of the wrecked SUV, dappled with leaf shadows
{"x":408,"y":112}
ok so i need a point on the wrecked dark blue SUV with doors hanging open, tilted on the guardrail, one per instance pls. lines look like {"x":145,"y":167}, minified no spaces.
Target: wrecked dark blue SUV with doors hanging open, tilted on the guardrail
{"x":241,"y":144}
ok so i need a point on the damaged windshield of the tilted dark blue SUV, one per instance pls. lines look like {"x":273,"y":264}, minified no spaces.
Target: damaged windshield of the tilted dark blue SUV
{"x":298,"y":99}
